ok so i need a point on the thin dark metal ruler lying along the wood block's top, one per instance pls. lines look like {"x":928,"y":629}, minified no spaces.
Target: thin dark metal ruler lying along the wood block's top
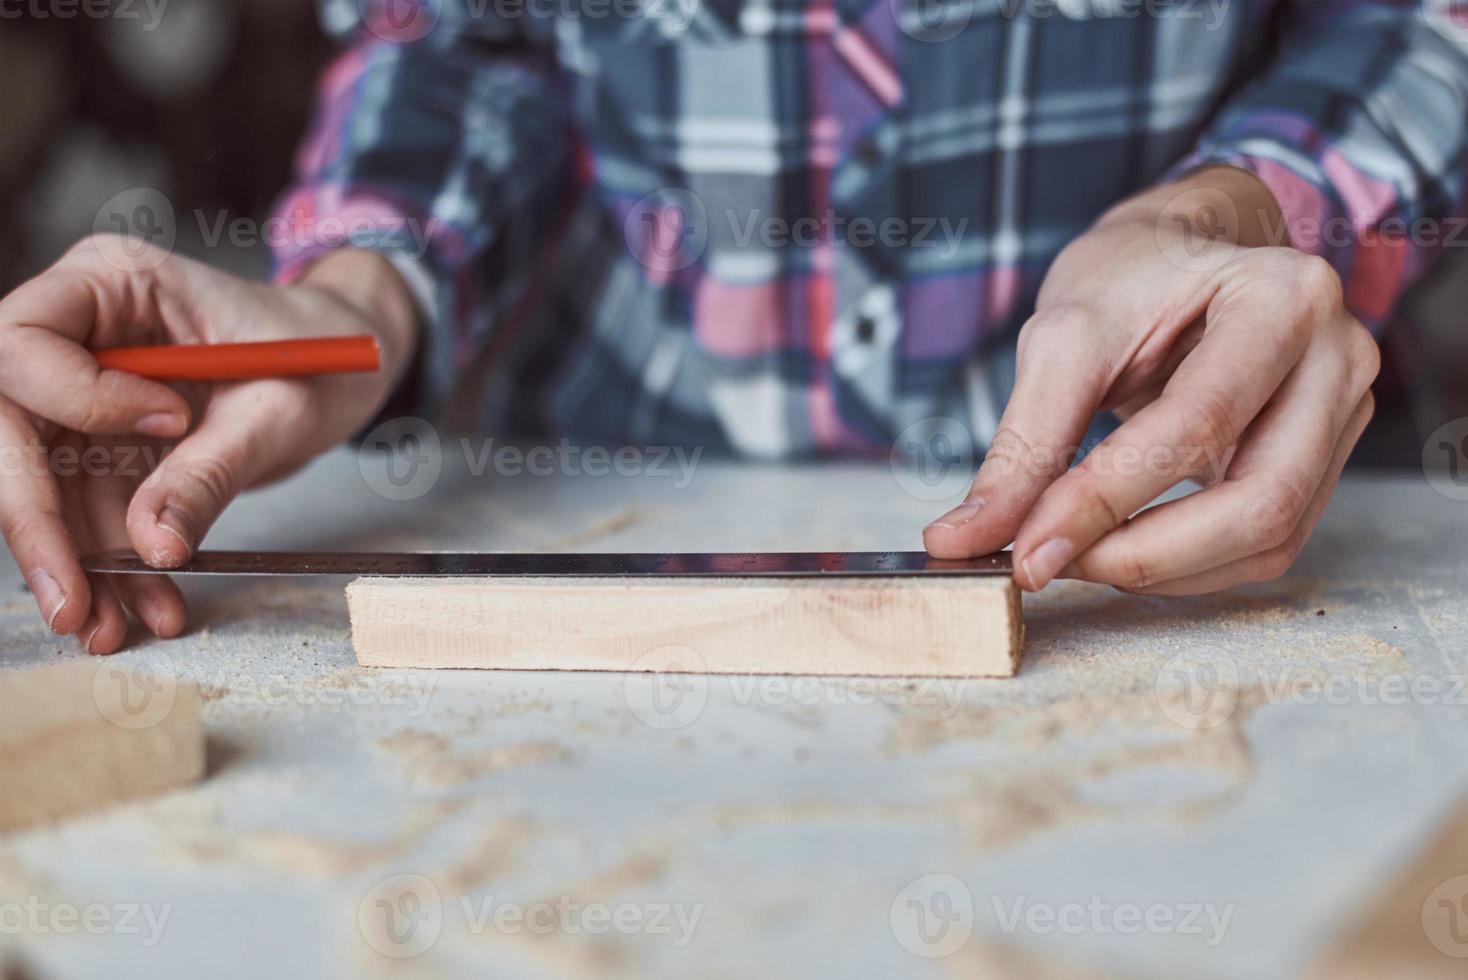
{"x":607,"y":566}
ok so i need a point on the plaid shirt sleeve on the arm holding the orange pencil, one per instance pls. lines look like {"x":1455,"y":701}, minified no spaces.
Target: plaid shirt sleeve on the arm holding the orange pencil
{"x":440,"y":136}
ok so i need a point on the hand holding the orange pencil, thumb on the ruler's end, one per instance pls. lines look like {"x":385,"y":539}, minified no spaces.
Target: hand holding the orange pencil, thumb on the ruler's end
{"x":95,"y":460}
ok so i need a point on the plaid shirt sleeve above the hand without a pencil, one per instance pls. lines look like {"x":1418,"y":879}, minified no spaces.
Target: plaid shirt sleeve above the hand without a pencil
{"x":1359,"y":130}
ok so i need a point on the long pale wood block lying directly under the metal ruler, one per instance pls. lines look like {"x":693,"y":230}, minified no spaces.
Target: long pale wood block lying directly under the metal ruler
{"x":918,"y":626}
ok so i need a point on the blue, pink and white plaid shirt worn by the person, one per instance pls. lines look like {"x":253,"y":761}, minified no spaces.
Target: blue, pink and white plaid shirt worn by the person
{"x":801,"y":227}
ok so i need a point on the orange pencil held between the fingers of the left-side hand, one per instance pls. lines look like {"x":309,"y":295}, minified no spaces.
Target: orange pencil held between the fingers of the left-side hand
{"x":239,"y":362}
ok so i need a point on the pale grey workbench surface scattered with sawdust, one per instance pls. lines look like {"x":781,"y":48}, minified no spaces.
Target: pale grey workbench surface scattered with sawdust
{"x":1212,"y":787}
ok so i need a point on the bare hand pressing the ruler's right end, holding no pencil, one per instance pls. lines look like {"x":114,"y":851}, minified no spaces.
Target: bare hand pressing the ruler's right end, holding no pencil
{"x":1235,"y":365}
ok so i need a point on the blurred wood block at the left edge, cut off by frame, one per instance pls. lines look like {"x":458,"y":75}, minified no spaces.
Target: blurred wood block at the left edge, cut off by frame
{"x":83,"y":734}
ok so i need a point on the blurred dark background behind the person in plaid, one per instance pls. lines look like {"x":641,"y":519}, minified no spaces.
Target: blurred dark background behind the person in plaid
{"x":205,"y":102}
